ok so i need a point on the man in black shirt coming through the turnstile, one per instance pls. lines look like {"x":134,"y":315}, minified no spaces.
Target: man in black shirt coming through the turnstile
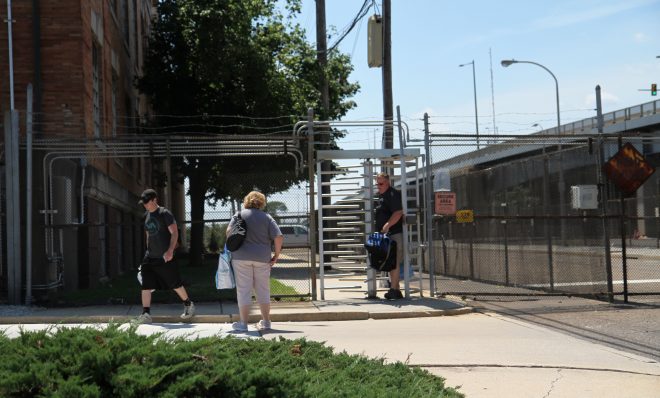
{"x":388,"y":219}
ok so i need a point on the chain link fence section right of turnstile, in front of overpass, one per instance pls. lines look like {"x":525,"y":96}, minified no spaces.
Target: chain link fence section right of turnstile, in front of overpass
{"x":529,"y":238}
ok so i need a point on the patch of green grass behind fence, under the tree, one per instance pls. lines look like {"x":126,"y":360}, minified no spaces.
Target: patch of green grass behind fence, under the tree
{"x":199,"y":283}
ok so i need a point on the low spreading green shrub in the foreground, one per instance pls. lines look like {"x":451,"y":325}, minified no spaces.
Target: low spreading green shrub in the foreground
{"x":86,"y":362}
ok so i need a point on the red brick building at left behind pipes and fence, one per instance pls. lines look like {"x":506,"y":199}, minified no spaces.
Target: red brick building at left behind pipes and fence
{"x":82,"y":58}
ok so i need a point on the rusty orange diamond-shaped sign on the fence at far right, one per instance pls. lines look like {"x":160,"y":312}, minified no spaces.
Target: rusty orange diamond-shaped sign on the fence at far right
{"x":628,"y":169}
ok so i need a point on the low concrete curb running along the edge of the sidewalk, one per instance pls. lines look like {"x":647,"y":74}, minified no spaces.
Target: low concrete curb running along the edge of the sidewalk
{"x":275,"y":317}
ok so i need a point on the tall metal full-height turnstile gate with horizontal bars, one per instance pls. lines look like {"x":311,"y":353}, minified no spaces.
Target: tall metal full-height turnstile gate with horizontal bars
{"x":346,"y":219}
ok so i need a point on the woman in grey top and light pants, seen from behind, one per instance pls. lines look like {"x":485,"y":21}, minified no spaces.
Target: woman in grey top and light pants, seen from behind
{"x":253,"y":260}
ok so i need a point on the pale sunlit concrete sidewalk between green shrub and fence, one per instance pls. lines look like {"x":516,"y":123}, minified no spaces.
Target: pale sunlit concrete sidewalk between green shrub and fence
{"x":486,"y":354}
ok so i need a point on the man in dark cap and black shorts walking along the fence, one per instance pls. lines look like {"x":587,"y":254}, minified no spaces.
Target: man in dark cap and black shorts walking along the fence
{"x":157,"y":269}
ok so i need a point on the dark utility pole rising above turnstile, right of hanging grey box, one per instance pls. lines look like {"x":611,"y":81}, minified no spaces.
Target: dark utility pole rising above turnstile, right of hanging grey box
{"x":388,"y":108}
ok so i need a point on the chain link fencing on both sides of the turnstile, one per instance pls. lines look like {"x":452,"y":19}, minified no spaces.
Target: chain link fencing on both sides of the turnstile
{"x":527,"y":238}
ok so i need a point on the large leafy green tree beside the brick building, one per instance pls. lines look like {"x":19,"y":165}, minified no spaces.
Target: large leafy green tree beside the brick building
{"x":245,"y":58}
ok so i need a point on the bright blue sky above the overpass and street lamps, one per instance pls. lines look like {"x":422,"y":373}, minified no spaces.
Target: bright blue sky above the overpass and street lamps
{"x":584,"y":43}
